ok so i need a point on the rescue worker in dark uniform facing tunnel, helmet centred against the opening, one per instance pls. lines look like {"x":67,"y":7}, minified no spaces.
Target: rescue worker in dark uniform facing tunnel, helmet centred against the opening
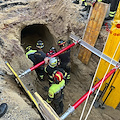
{"x":39,"y":57}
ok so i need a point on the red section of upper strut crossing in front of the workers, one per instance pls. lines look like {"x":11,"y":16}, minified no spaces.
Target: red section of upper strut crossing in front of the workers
{"x":56,"y":54}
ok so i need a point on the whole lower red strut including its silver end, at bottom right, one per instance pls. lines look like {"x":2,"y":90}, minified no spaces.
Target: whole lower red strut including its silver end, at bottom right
{"x":82,"y":99}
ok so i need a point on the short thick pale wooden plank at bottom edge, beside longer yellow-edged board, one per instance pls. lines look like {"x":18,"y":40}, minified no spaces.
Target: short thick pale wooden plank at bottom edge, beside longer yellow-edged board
{"x":47,"y":111}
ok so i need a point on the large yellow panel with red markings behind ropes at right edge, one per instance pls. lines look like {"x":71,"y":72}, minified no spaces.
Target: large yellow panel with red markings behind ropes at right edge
{"x":109,"y":49}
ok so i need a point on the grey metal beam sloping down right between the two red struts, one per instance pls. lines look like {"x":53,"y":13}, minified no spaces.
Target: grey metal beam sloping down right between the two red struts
{"x":94,"y":50}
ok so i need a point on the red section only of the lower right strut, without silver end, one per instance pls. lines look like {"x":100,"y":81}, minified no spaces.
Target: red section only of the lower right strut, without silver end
{"x":94,"y":88}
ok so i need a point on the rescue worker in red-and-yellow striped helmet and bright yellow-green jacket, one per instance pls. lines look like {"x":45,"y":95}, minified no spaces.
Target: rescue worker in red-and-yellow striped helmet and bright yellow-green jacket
{"x":55,"y":93}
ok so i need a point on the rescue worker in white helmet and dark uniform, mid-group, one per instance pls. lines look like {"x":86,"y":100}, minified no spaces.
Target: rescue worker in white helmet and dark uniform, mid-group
{"x":53,"y":66}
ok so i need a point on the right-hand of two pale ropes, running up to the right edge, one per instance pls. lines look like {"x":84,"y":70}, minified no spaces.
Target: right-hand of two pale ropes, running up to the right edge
{"x":101,"y":83}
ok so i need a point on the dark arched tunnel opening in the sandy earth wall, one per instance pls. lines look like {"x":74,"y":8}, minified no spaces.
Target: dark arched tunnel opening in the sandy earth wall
{"x":32,"y":33}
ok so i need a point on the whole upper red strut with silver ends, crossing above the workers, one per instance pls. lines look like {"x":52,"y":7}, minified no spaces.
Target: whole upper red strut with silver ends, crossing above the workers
{"x":56,"y":54}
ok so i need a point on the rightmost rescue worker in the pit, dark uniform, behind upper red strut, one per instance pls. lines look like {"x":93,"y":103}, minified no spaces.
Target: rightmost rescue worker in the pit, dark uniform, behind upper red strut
{"x":64,"y":59}
